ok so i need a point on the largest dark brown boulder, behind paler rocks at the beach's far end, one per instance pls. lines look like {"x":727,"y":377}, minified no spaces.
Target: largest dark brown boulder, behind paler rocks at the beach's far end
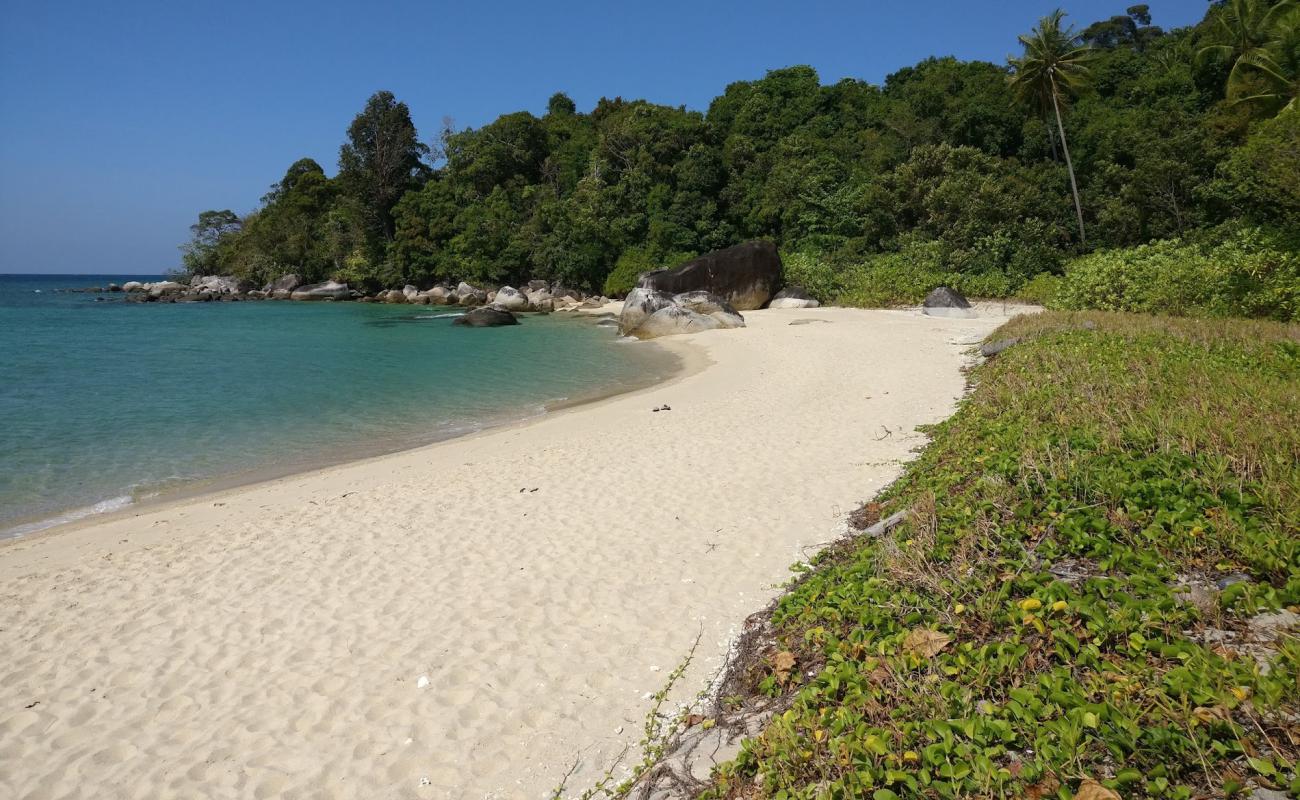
{"x":746,"y":275}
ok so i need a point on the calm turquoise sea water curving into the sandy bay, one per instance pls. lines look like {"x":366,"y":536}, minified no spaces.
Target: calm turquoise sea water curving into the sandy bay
{"x":105,"y":404}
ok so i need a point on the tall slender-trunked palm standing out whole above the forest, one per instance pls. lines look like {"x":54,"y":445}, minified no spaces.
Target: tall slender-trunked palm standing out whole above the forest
{"x":1055,"y":66}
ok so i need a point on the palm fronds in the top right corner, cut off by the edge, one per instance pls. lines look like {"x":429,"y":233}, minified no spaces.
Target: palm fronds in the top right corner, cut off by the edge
{"x":1262,"y":38}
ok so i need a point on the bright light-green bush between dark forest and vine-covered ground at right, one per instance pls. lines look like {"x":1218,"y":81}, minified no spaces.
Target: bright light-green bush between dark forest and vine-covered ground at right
{"x":1234,"y":271}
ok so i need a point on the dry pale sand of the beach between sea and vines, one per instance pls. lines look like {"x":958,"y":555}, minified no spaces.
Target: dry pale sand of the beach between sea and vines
{"x":470,"y":619}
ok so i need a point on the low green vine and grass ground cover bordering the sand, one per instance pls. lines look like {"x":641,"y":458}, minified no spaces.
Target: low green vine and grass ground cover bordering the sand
{"x":1080,"y":603}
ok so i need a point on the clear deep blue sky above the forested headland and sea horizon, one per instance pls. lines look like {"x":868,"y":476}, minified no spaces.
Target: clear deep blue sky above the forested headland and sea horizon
{"x":120,"y":122}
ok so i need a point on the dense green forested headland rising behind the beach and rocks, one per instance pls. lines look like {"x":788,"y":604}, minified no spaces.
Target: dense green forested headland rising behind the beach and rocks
{"x":1115,"y":165}
